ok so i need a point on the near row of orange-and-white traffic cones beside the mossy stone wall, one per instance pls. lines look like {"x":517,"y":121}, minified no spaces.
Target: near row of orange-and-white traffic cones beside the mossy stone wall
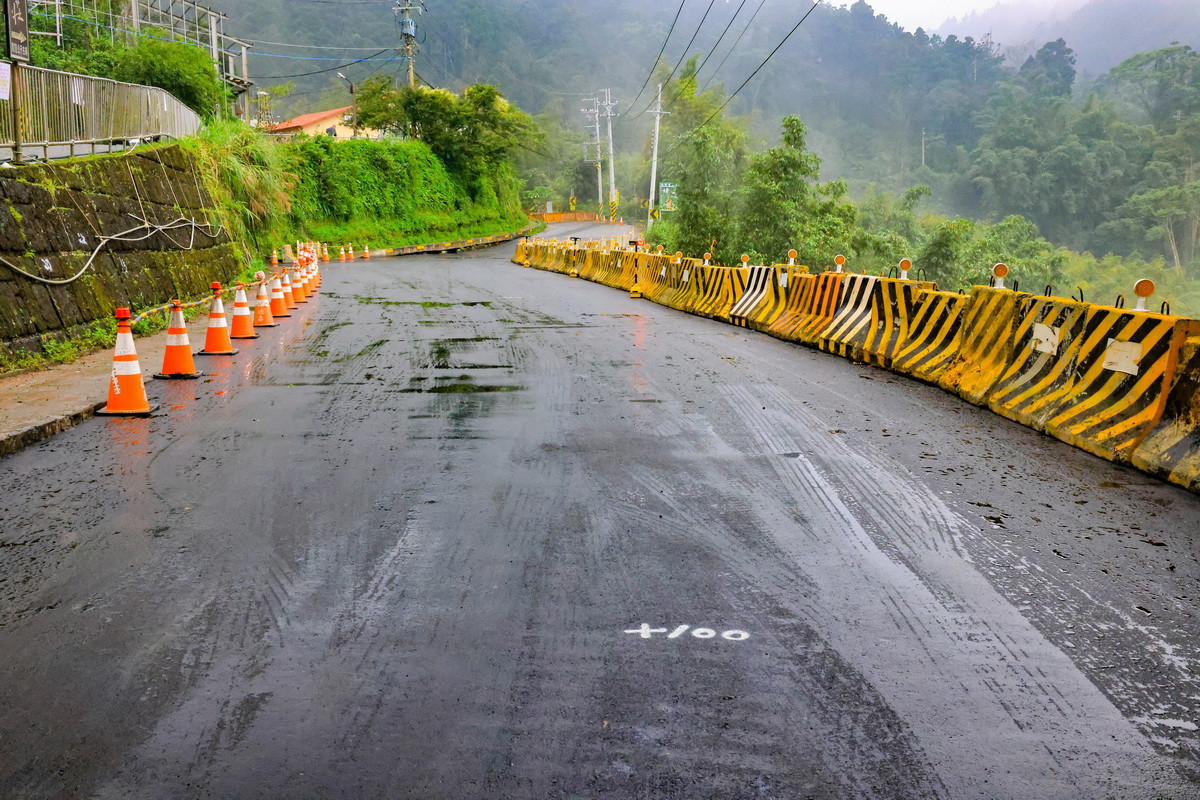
{"x":127,"y":390}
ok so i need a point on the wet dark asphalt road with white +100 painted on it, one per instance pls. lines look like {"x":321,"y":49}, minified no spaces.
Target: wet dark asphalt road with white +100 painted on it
{"x":467,"y":531}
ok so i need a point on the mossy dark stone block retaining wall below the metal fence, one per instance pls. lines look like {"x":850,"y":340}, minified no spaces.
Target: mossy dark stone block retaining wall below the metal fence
{"x":52,"y":218}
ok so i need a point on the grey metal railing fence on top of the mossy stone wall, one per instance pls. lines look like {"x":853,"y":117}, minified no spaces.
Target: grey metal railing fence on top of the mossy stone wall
{"x":53,"y":115}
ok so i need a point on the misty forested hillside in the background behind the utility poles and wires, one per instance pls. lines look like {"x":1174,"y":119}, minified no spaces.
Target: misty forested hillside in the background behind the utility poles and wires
{"x":1107,"y":166}
